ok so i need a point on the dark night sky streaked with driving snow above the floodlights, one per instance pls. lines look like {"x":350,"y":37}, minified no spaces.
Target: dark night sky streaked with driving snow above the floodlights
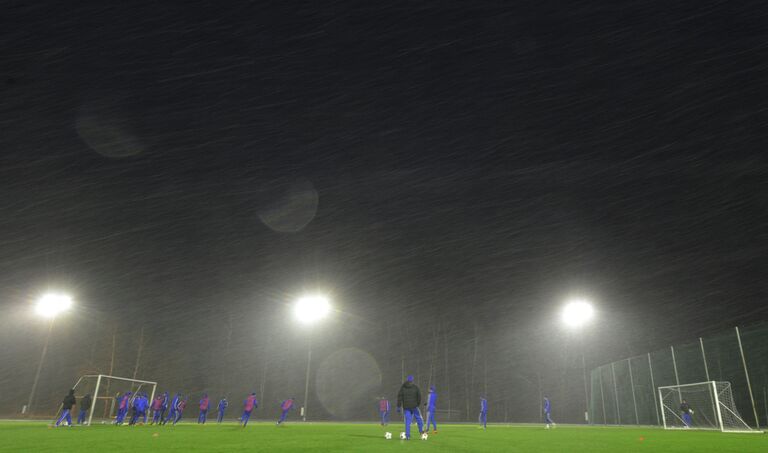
{"x":475,"y":161}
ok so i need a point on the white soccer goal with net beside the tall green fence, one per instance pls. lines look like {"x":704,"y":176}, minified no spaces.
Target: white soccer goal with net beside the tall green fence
{"x":703,"y":405}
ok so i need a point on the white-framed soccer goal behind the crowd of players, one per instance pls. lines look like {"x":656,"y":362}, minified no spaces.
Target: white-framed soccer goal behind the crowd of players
{"x":105,"y":389}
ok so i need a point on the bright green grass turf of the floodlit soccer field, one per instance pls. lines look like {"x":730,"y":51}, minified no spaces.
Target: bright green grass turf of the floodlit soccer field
{"x":321,"y":437}
